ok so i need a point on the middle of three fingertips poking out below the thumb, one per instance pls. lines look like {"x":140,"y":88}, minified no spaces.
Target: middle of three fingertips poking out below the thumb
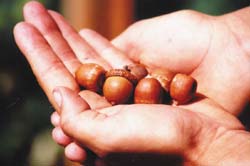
{"x":60,"y":137}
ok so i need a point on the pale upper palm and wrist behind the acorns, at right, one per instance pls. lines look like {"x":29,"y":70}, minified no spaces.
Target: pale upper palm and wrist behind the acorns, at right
{"x":214,"y":50}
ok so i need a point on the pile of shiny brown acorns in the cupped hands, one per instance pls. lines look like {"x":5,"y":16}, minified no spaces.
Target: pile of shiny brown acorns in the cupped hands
{"x":133,"y":84}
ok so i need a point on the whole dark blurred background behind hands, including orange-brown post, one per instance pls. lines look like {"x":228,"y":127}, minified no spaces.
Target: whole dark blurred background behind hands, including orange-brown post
{"x":24,"y":110}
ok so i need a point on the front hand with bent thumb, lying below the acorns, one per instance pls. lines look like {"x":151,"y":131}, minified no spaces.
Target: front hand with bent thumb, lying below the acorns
{"x":155,"y":134}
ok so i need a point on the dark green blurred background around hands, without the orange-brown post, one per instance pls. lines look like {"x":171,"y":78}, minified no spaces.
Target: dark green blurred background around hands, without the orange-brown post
{"x":24,"y":110}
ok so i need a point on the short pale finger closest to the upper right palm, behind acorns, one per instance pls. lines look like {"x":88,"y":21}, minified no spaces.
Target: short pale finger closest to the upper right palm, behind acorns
{"x":105,"y":49}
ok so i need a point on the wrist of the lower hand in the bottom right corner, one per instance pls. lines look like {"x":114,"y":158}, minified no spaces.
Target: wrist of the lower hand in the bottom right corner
{"x":229,"y":148}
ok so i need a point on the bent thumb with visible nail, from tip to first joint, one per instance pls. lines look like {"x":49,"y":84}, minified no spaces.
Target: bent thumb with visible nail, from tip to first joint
{"x":77,"y":120}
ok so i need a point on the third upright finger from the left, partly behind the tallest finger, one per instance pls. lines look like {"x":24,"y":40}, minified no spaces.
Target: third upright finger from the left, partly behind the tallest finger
{"x":84,"y":52}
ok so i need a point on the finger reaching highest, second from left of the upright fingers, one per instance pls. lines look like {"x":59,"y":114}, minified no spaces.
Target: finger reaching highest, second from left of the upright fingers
{"x":37,"y":15}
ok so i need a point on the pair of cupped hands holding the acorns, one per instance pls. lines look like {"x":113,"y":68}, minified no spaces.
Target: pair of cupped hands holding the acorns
{"x":212,"y":49}
